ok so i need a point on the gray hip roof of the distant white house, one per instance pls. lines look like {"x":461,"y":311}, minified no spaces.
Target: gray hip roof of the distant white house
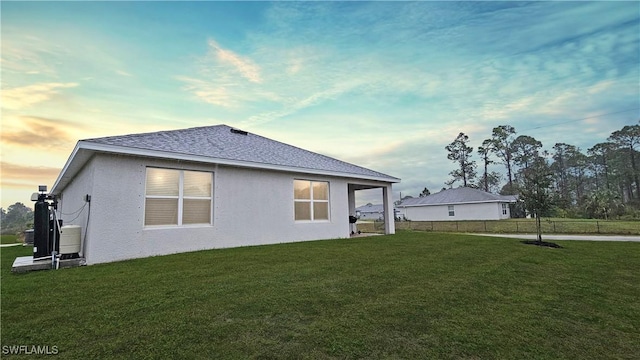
{"x":461,"y":195}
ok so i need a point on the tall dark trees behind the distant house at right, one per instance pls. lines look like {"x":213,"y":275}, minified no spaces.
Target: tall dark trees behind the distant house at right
{"x":602,"y":182}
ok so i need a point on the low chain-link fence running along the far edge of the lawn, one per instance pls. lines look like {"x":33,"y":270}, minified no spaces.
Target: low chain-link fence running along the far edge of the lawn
{"x":513,"y":226}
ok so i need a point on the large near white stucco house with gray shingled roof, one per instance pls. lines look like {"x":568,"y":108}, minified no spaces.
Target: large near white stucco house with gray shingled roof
{"x":210,"y":187}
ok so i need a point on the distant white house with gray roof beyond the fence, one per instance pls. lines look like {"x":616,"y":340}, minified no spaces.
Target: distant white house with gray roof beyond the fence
{"x":462,"y":203}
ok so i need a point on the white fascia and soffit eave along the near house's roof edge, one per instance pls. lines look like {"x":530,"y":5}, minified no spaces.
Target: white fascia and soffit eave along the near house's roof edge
{"x":84,"y":150}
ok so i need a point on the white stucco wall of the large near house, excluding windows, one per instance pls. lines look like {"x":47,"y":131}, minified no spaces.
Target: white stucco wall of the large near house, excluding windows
{"x":250,"y":207}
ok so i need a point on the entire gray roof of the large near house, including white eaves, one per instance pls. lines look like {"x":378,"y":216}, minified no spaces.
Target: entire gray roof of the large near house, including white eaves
{"x":220,"y":144}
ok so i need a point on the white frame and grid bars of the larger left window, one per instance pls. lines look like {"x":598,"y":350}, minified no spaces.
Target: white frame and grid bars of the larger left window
{"x":180,"y":197}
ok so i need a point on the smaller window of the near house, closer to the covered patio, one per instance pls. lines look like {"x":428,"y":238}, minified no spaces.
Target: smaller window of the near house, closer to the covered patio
{"x":311,"y":200}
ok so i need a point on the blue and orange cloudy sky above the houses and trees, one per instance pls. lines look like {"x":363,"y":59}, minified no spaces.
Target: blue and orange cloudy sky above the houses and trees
{"x":385,"y":85}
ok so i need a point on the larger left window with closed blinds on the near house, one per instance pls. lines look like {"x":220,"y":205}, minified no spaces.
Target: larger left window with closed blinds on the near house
{"x":177,"y":197}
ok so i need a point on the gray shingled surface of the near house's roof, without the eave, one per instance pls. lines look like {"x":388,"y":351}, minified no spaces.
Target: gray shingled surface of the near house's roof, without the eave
{"x":219,"y":142}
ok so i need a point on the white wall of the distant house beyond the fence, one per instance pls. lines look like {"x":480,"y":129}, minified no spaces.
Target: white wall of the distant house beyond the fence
{"x":476,"y":211}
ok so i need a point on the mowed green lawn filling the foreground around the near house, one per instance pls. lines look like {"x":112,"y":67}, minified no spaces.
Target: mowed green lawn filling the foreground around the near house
{"x":412,"y":295}
